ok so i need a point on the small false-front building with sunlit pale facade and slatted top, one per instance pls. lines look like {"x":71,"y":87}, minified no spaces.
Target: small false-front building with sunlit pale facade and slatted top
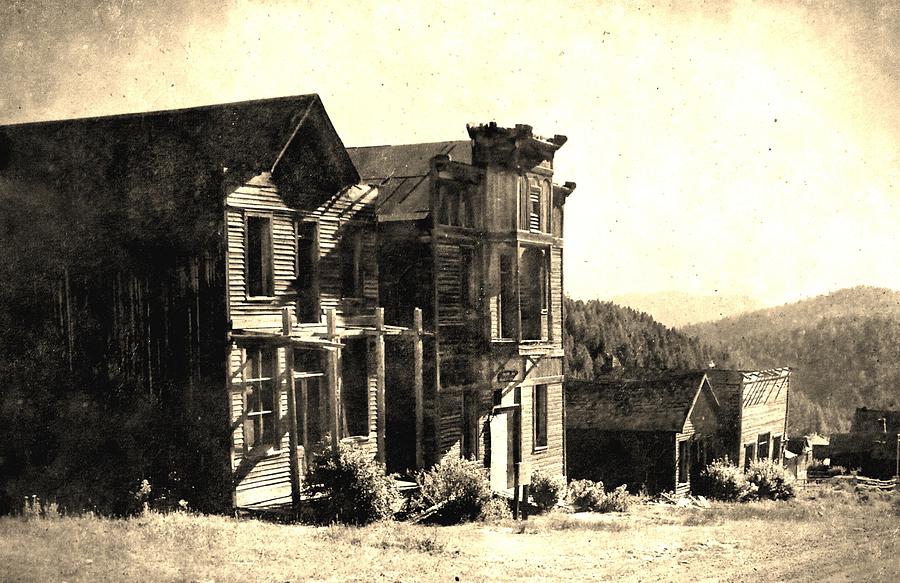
{"x":754,"y":413}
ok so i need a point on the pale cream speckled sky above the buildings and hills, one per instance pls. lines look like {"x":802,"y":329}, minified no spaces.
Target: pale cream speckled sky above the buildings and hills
{"x":726,"y":147}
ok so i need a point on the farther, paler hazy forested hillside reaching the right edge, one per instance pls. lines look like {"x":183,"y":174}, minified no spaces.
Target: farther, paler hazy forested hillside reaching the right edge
{"x":844,"y":348}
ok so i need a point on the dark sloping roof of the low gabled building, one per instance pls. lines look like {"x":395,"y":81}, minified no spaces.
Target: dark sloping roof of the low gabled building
{"x":659,"y":404}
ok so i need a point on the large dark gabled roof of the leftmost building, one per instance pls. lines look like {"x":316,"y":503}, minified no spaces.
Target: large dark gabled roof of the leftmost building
{"x":282,"y":135}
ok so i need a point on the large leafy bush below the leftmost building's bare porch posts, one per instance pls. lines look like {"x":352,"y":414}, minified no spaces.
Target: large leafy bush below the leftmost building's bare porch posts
{"x":356,"y":487}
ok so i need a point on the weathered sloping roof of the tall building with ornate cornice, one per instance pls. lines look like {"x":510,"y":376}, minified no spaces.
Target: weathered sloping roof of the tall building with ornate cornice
{"x":400,"y":172}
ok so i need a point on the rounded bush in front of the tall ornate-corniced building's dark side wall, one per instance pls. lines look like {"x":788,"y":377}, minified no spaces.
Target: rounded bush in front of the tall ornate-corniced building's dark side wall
{"x":460,"y":486}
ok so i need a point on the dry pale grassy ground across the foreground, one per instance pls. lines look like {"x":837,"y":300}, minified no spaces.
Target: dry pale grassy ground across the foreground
{"x":825,"y":534}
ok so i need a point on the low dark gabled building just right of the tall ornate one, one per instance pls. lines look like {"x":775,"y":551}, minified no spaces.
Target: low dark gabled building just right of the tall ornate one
{"x":655,"y":433}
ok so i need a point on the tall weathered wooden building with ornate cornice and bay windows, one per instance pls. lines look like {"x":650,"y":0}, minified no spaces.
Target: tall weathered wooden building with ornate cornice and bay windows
{"x":471,"y":231}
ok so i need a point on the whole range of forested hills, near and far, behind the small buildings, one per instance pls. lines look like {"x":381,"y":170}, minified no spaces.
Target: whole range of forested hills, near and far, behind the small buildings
{"x":843,"y":348}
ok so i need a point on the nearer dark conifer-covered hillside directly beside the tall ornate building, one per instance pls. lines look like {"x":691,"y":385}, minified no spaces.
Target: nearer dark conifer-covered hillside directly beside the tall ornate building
{"x":598,"y":331}
